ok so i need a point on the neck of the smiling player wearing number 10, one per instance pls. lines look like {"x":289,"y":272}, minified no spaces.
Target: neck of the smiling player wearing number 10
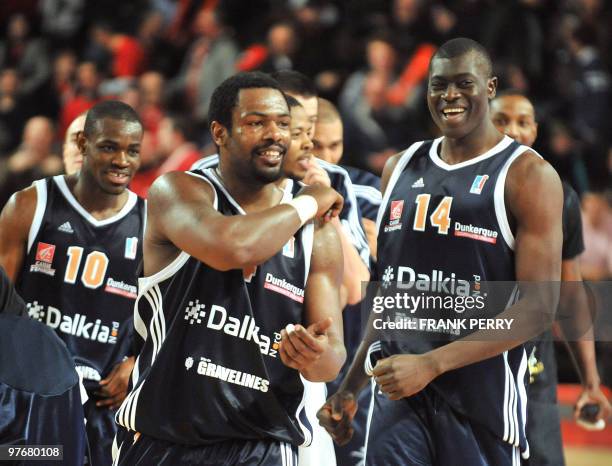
{"x":100,"y":204}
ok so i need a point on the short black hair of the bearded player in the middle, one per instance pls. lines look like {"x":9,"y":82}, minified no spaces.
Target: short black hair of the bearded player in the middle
{"x":225,"y":96}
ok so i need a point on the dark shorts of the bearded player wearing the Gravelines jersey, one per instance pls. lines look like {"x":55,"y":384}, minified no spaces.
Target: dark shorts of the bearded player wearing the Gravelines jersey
{"x":148,"y":451}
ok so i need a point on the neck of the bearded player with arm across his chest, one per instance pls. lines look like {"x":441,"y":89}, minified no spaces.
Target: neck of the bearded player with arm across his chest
{"x":251,"y":195}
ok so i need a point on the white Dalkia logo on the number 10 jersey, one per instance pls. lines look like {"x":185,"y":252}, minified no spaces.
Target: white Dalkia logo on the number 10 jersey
{"x":76,"y":325}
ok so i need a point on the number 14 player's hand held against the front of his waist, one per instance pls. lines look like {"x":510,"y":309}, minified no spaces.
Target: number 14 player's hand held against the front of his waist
{"x":403,"y":375}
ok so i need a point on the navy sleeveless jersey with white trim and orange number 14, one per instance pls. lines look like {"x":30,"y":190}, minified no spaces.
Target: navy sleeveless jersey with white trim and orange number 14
{"x":447,"y":224}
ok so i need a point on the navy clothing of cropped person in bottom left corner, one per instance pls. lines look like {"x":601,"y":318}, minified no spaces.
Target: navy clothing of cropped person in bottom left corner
{"x":40,"y":395}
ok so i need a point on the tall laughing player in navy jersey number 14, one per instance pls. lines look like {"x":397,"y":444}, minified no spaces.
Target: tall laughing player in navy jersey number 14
{"x":461,"y":402}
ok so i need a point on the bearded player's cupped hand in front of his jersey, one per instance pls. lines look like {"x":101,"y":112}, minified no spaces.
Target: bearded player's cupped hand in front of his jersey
{"x":300,"y":347}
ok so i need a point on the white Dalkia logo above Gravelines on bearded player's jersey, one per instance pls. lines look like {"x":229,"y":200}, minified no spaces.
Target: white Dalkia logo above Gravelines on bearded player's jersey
{"x":218,"y":319}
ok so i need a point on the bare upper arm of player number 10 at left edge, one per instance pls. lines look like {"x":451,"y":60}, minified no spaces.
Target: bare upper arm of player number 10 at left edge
{"x":15,"y":222}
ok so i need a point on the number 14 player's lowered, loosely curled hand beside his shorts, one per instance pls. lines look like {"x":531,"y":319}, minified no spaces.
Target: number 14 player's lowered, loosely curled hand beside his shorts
{"x":337,"y":414}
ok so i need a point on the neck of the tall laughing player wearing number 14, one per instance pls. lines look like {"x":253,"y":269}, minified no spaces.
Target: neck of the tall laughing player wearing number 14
{"x":479,"y":141}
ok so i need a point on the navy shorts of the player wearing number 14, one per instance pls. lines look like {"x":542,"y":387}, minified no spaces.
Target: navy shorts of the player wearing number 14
{"x":423,"y":430}
